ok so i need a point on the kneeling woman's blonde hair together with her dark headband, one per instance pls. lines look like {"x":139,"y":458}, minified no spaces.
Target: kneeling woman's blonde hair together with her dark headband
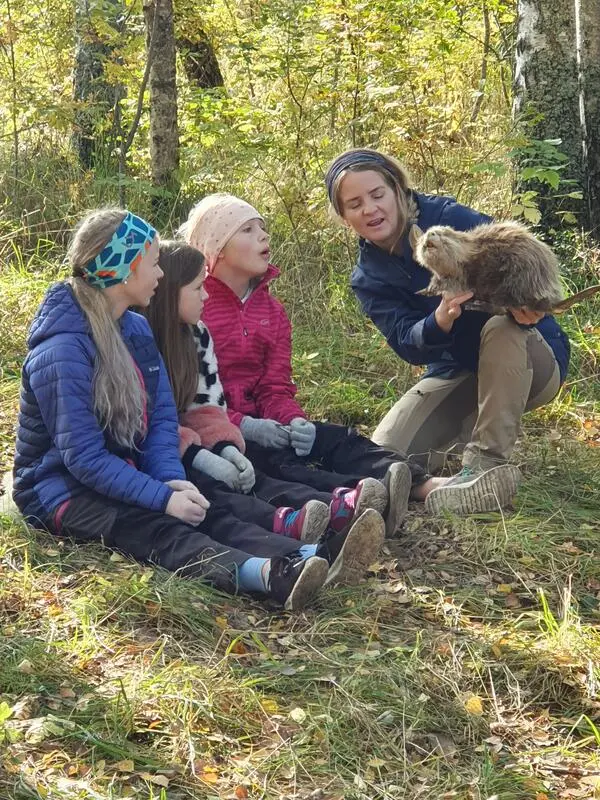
{"x":393,"y":173}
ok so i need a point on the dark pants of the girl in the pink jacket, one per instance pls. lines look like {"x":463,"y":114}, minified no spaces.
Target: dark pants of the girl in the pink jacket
{"x":340,"y":457}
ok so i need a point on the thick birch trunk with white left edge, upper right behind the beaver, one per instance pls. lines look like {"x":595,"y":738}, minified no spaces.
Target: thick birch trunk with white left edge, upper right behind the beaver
{"x":547,"y":88}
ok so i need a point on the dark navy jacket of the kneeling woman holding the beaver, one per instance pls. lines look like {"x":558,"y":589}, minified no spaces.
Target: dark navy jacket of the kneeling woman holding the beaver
{"x":386,"y":285}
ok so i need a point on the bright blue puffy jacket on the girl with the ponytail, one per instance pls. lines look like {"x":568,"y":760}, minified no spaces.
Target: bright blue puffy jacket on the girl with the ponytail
{"x":61,"y":448}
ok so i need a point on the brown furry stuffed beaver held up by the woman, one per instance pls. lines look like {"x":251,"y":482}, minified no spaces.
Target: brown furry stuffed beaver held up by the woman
{"x":502,"y":263}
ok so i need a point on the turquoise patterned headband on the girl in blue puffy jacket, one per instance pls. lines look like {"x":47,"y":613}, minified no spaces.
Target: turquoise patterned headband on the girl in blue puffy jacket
{"x":122,"y":254}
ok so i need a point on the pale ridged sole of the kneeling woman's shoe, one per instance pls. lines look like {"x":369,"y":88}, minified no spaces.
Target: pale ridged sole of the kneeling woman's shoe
{"x":491,"y":491}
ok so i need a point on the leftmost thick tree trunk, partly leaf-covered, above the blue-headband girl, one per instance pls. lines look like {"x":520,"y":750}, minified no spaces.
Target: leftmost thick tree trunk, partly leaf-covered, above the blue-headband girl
{"x":90,"y":89}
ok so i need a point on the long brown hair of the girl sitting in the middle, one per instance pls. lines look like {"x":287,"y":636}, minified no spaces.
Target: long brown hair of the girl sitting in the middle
{"x":181,"y":265}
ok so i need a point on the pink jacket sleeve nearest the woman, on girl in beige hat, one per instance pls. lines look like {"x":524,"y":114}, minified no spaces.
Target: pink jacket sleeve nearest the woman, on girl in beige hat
{"x":275,"y":392}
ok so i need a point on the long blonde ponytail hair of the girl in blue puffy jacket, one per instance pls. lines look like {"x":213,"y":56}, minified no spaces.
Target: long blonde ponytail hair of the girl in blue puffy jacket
{"x":119,"y":399}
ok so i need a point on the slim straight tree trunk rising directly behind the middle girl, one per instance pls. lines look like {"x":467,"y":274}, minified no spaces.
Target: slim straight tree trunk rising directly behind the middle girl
{"x":164,"y":134}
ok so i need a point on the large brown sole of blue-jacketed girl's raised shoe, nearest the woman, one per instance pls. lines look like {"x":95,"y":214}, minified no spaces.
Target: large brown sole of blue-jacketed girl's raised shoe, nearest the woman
{"x":360,"y":549}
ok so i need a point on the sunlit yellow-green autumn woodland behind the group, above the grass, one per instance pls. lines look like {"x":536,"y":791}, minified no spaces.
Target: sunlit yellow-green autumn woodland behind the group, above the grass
{"x":260,"y":95}
